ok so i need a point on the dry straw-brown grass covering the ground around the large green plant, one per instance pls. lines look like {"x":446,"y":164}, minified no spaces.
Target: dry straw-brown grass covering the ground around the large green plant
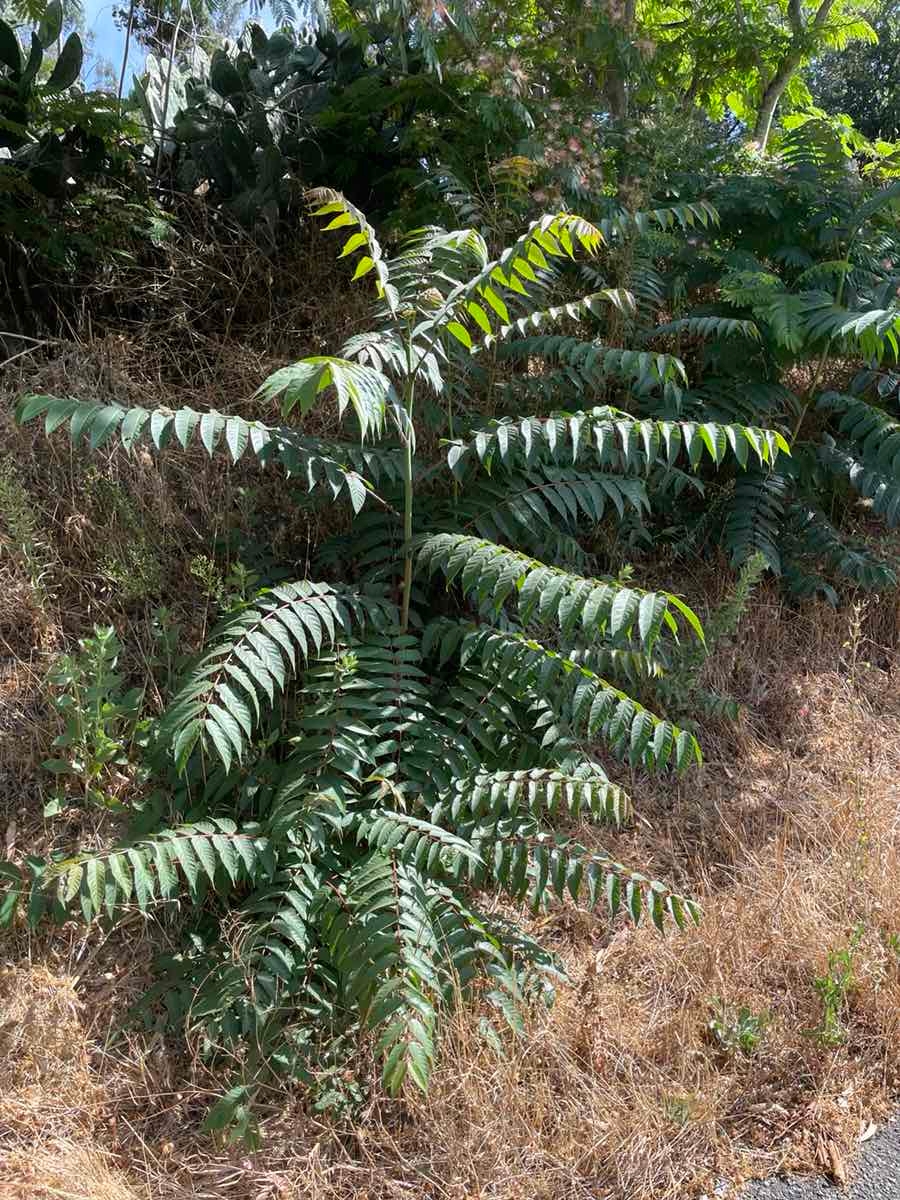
{"x":790,"y":837}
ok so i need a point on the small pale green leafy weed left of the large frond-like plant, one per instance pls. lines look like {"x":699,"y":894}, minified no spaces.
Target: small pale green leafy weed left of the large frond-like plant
{"x":100,"y":721}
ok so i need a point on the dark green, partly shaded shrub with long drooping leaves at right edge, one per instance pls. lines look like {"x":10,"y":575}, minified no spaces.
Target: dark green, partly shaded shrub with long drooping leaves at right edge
{"x":795,"y":284}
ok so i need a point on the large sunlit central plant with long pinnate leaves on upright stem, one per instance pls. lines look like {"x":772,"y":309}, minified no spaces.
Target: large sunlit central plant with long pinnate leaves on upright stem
{"x":353,"y":759}
